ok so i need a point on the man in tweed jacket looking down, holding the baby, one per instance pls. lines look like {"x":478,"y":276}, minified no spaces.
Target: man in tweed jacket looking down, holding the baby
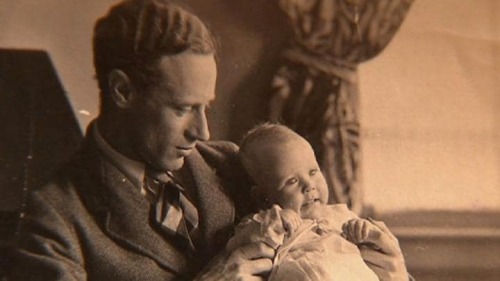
{"x":148,"y":197}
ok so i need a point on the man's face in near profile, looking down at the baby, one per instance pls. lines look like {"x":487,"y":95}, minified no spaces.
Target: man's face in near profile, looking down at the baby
{"x":168,"y":123}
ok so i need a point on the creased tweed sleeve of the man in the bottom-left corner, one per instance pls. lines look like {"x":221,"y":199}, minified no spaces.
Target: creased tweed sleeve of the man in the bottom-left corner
{"x":46,"y":247}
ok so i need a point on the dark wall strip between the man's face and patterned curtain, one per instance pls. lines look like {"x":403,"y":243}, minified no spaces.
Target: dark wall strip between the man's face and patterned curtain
{"x":251,"y":35}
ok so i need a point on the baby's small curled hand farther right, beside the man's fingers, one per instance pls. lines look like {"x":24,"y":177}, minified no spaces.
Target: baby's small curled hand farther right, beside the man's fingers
{"x":358,"y":231}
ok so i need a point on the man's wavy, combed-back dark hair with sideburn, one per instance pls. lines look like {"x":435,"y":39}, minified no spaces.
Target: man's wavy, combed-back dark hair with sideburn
{"x":135,"y":34}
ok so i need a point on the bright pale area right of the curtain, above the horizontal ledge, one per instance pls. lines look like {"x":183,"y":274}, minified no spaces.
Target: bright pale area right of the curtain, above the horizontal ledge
{"x":431,"y":110}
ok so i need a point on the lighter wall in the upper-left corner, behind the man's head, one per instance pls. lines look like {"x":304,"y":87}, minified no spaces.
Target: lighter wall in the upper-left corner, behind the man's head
{"x":64,"y":29}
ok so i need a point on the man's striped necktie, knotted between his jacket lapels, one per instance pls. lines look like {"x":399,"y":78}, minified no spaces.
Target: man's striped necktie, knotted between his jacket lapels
{"x":173,"y":211}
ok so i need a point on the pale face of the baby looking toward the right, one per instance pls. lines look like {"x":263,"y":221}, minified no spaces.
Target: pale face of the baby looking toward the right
{"x":290,"y":176}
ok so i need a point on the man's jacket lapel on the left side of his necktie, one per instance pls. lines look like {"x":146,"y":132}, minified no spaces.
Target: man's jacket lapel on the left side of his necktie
{"x":126,"y":213}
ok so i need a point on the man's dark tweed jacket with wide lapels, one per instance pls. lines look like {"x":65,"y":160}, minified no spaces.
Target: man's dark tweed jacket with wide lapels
{"x":91,"y":223}
